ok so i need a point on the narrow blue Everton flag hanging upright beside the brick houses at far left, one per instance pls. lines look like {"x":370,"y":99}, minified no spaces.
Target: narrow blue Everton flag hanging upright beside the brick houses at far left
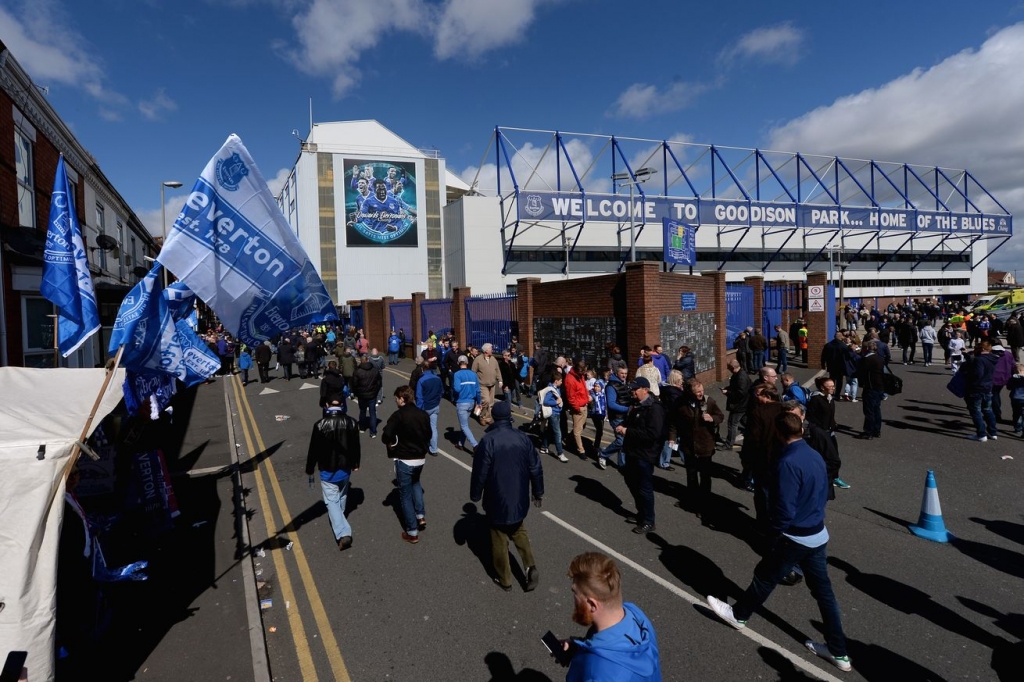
{"x":67,"y":282}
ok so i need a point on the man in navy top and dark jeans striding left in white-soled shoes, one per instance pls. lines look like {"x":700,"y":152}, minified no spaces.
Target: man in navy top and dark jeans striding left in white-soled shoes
{"x":798,"y":518}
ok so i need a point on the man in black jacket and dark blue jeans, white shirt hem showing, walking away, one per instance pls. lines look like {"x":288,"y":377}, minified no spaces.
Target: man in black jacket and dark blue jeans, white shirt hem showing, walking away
{"x":407,"y":437}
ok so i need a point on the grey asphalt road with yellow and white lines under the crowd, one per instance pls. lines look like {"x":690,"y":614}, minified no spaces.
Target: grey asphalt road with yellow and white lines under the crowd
{"x":388,"y":611}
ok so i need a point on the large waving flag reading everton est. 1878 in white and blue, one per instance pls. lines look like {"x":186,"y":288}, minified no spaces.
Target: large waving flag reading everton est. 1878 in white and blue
{"x":233,"y":247}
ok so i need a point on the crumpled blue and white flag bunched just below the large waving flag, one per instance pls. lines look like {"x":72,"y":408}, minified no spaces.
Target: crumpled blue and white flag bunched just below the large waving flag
{"x":154,"y":342}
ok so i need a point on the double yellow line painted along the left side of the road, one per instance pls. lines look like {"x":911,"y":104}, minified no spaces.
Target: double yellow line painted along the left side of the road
{"x":339,"y":671}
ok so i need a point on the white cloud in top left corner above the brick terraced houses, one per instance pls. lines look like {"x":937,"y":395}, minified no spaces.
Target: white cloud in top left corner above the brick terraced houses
{"x":54,"y":53}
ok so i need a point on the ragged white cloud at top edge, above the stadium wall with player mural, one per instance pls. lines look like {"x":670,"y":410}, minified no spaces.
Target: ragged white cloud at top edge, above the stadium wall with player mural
{"x":334,"y":35}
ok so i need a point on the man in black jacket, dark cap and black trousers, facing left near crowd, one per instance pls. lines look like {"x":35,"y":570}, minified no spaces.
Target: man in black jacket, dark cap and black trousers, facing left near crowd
{"x":644,"y":436}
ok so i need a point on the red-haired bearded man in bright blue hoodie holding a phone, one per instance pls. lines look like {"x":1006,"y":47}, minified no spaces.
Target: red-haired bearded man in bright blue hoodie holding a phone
{"x":621,"y":644}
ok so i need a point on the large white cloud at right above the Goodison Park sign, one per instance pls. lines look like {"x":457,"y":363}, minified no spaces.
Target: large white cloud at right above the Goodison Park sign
{"x":962,"y":113}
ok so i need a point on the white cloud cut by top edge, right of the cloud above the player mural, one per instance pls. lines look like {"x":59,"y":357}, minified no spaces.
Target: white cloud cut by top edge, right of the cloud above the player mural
{"x":471,"y":28}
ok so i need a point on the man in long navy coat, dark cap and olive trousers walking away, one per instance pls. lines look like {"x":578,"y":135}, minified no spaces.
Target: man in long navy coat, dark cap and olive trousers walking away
{"x":506,"y":467}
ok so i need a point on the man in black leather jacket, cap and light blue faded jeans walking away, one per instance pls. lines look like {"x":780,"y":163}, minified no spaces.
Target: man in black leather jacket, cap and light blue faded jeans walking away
{"x":334,"y":448}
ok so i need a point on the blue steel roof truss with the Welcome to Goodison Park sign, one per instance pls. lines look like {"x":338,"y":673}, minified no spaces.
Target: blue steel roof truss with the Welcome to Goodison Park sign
{"x":868,"y":188}
